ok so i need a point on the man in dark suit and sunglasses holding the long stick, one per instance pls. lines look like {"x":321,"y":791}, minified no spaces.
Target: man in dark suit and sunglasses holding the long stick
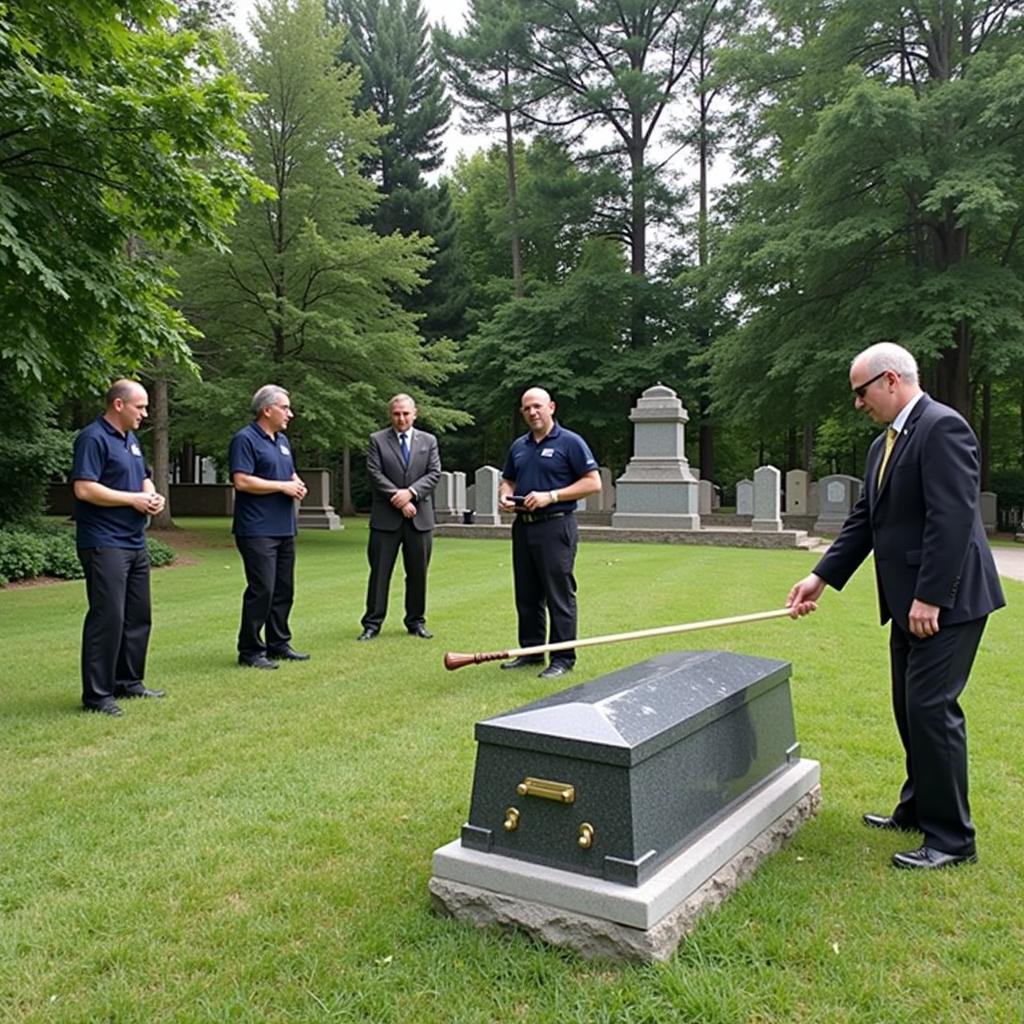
{"x":937,"y":584}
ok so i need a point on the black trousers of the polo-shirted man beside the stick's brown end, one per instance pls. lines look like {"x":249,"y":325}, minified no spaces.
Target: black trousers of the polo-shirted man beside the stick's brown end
{"x":543,"y":560}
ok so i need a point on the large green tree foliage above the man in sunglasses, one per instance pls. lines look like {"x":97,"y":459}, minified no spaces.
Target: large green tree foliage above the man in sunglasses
{"x":881,"y":199}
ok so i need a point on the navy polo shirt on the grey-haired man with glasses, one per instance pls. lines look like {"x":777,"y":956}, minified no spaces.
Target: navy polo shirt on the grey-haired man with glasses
{"x":254,"y":452}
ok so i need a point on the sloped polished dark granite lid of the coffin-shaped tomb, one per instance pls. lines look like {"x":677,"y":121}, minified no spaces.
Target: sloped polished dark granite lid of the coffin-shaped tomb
{"x":628,"y":716}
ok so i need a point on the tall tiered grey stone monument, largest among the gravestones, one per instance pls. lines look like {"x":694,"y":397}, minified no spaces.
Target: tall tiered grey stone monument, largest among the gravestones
{"x":658,"y":491}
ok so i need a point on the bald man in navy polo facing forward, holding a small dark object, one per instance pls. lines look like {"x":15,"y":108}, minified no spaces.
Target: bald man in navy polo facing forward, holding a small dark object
{"x":547,"y":471}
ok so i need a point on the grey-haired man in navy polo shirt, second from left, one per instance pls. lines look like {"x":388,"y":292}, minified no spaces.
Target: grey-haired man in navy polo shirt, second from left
{"x":267,"y":488}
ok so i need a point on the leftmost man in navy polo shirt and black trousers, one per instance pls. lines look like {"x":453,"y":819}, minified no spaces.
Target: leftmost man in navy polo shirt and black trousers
{"x":113,"y":497}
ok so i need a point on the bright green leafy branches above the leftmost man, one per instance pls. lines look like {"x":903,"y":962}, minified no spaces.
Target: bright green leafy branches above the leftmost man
{"x":119,"y":141}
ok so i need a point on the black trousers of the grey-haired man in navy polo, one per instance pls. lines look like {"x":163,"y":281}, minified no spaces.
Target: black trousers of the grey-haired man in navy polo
{"x":270,"y":564}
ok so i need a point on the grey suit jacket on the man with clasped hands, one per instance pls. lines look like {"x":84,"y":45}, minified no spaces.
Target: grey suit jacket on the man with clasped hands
{"x":389,"y":475}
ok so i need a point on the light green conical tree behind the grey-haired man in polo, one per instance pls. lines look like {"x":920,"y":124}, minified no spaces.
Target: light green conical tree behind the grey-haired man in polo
{"x":307,"y":296}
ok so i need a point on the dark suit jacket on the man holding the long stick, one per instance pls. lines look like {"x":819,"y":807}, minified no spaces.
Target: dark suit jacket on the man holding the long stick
{"x":924,"y":524}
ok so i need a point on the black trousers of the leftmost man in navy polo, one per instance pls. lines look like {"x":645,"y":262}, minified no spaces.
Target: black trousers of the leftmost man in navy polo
{"x":116,"y":632}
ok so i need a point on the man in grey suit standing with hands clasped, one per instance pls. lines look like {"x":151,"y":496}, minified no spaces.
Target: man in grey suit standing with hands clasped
{"x":405,"y":466}
